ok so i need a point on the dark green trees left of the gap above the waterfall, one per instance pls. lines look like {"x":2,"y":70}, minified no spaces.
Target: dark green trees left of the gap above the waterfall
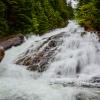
{"x":37,"y":16}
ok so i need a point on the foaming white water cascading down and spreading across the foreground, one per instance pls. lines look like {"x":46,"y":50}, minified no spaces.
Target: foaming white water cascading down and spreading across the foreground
{"x":60,"y":81}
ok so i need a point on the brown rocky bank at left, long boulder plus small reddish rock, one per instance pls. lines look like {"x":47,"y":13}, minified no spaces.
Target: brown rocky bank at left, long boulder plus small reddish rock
{"x":8,"y":42}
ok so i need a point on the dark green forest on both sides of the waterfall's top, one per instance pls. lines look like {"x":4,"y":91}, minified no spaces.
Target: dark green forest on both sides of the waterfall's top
{"x":40,"y":16}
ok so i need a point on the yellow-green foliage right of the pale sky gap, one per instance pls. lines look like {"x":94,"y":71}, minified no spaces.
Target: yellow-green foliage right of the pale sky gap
{"x":88,"y":14}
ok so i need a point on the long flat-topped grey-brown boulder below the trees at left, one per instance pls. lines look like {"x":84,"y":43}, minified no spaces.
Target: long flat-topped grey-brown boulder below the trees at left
{"x":7,"y":43}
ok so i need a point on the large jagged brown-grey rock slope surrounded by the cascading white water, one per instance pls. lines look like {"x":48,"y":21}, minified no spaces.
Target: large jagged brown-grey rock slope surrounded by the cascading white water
{"x":44,"y":55}
